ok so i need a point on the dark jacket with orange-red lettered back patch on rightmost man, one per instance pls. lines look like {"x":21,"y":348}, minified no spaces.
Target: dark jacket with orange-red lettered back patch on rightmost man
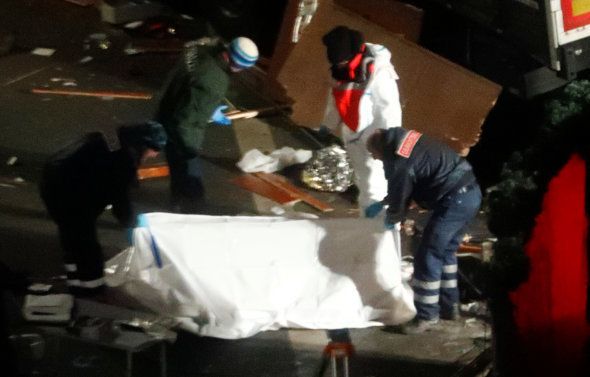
{"x":421,"y":169}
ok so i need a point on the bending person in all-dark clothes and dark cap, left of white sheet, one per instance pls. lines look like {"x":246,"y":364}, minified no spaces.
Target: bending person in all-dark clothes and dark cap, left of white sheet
{"x":82,"y":179}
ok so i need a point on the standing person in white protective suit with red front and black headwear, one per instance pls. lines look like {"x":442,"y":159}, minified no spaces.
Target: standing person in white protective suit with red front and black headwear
{"x":364,"y":97}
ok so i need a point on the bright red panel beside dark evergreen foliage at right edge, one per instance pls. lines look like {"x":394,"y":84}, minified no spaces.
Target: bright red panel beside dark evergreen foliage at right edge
{"x":549,"y":308}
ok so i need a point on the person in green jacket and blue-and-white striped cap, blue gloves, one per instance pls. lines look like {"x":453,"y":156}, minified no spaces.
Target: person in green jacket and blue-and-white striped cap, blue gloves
{"x":193,"y":100}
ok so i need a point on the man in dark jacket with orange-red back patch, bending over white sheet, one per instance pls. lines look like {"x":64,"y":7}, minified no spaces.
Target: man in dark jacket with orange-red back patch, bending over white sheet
{"x":435,"y":177}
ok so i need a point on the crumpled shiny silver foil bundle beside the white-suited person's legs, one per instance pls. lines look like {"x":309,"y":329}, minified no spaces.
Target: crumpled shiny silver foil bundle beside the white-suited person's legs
{"x":328,"y":170}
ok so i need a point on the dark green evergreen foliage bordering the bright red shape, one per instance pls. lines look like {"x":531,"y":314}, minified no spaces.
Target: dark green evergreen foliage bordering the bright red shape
{"x":515,"y":202}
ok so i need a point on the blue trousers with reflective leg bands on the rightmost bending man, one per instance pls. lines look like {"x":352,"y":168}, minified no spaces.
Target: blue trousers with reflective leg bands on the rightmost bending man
{"x":435,"y":261}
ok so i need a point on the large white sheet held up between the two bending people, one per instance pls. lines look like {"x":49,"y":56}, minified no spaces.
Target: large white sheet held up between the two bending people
{"x":231,"y":277}
